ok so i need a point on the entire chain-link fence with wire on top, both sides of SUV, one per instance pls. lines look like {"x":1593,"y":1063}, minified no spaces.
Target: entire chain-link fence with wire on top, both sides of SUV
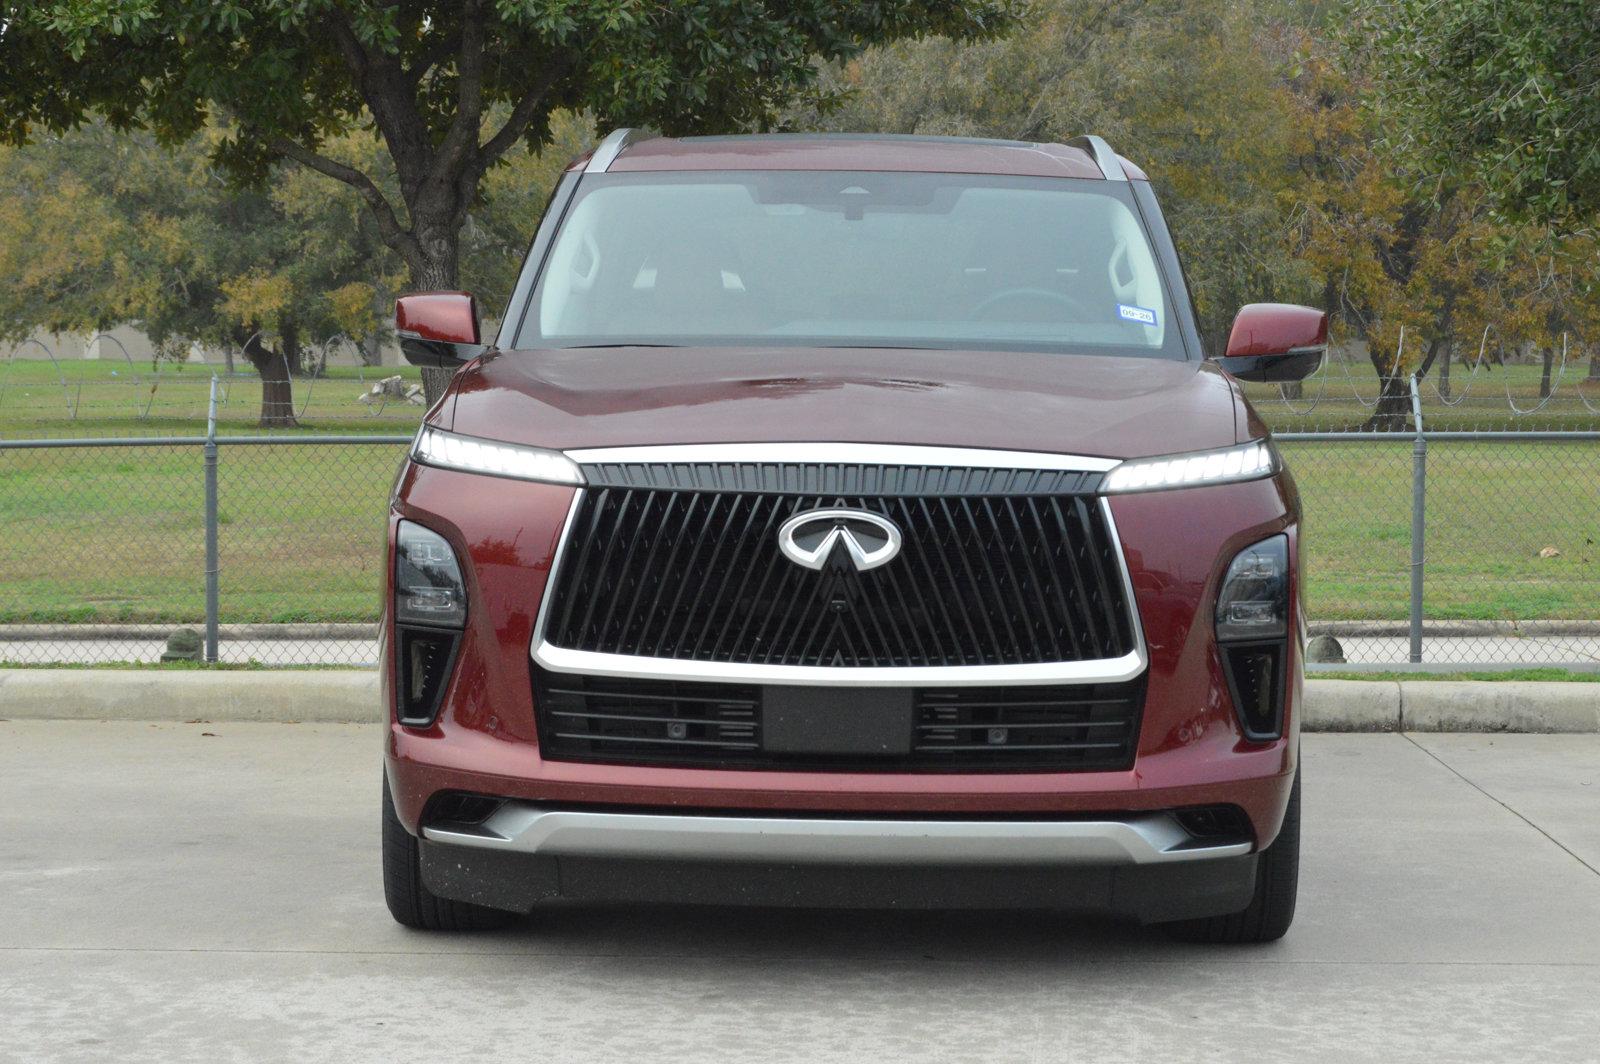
{"x":105,"y":548}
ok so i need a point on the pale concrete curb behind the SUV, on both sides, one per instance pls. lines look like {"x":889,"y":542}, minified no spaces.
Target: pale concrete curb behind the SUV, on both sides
{"x":335,"y":697}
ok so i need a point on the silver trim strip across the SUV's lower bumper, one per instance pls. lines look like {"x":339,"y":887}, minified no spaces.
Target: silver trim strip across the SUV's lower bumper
{"x":1138,"y":839}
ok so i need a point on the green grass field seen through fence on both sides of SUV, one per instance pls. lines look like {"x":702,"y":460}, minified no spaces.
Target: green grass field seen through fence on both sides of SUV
{"x":116,"y":534}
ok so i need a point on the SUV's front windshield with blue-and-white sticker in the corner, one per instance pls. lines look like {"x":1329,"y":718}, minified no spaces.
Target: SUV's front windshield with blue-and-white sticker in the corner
{"x":862,"y":260}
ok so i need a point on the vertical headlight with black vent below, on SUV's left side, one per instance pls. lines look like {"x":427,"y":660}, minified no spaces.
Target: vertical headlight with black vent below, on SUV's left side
{"x":431,"y":607}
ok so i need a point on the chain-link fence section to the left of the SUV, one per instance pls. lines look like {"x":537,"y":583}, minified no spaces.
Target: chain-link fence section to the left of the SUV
{"x":106,"y":548}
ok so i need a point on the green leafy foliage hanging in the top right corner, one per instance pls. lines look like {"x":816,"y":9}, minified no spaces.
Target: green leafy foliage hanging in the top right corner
{"x":1503,"y":95}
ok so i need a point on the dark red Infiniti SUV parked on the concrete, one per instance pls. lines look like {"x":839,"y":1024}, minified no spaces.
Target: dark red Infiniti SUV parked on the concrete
{"x":847,"y":521}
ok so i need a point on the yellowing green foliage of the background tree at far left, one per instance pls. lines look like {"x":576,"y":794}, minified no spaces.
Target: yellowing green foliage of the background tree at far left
{"x":98,"y":230}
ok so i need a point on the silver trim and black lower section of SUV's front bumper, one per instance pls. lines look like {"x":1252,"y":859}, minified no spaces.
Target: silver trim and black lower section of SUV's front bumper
{"x":1143,"y":868}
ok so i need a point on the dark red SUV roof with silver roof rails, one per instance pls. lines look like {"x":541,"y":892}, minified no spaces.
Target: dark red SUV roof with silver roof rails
{"x":1082,"y":158}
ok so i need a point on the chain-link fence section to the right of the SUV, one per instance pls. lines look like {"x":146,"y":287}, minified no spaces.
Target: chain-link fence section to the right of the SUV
{"x":1510,"y":551}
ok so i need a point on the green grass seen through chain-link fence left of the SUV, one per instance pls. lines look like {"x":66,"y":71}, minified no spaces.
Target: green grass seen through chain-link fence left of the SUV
{"x":118,"y":535}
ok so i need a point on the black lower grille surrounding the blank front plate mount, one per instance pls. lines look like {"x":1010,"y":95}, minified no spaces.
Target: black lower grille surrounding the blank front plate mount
{"x":1084,"y":727}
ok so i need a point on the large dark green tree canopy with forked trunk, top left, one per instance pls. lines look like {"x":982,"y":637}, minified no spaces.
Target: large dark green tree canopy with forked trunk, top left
{"x":452,"y":86}
